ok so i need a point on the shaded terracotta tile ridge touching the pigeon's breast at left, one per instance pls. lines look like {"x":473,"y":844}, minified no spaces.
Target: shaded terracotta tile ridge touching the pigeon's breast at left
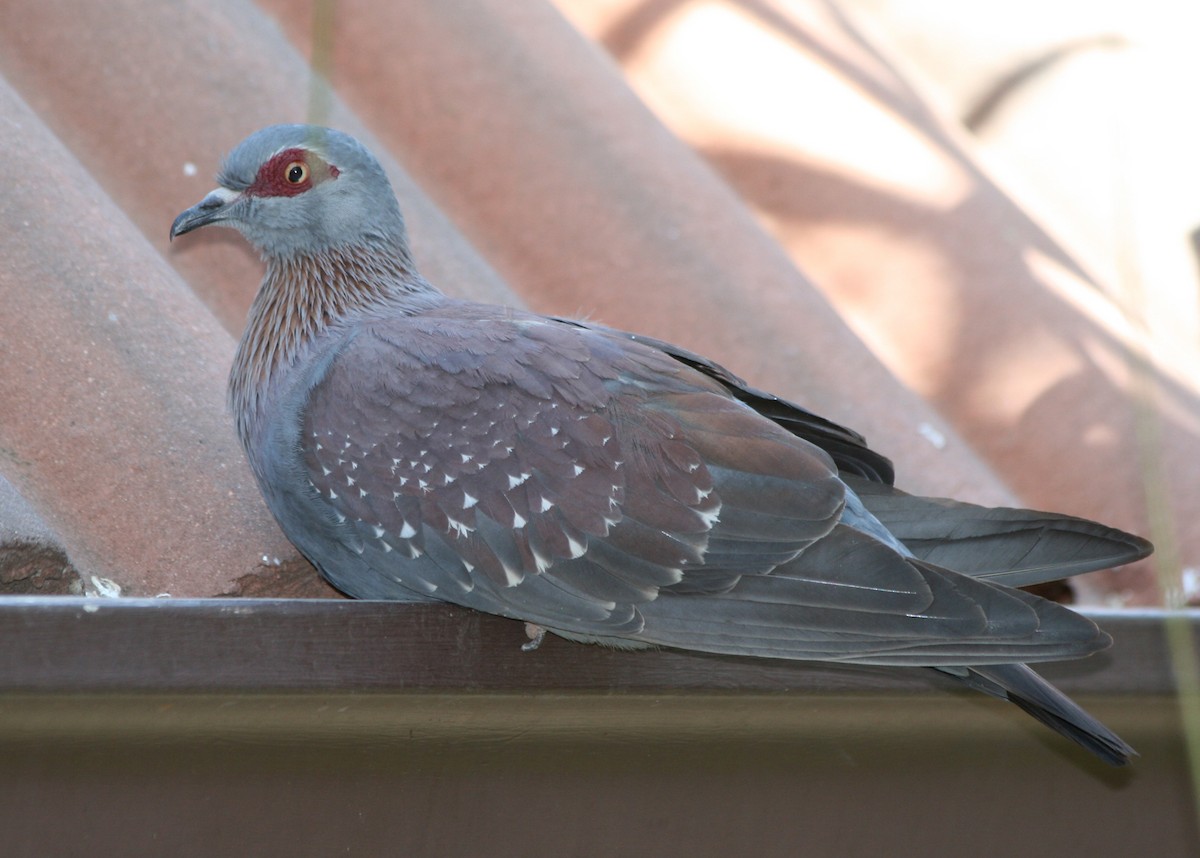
{"x":113,"y":385}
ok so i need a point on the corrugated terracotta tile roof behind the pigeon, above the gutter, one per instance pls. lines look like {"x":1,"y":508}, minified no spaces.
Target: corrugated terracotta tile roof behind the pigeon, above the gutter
{"x":537,"y":167}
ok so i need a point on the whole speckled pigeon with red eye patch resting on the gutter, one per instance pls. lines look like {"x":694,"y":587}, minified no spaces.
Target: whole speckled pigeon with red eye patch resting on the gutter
{"x":601,"y":485}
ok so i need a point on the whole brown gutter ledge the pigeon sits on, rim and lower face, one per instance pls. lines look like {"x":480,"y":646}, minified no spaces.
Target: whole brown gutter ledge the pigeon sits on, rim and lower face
{"x":146,"y":728}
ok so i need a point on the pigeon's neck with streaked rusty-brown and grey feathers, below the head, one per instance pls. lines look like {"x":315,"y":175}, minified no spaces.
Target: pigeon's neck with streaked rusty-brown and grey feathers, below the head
{"x":304,"y":296}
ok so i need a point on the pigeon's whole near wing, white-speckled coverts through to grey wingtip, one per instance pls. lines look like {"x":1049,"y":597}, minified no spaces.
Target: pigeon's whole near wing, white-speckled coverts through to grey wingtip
{"x":604,"y":488}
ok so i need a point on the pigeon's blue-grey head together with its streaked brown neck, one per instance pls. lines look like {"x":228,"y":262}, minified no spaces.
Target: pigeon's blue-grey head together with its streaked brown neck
{"x":321,"y":211}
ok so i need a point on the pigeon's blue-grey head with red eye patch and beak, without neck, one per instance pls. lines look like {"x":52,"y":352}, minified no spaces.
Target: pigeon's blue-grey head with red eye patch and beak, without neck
{"x":301,"y":190}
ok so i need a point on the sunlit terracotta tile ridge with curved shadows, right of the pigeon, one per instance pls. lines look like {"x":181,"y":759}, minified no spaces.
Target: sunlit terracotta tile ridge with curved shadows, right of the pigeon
{"x":961,"y":293}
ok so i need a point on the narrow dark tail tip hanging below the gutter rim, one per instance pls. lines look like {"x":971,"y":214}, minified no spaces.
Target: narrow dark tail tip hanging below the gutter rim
{"x":1043,"y":701}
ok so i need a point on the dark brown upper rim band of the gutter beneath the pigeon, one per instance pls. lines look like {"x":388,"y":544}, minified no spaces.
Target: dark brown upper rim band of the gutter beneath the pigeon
{"x":62,"y":644}
